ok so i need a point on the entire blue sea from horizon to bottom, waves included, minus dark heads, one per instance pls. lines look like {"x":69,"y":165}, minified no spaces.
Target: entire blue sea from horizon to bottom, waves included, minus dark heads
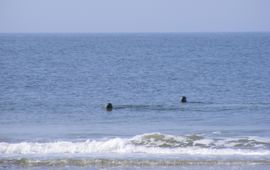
{"x":54,"y":88}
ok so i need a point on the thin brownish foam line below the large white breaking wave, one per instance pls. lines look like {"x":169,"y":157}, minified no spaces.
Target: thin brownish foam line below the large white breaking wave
{"x":127,"y":162}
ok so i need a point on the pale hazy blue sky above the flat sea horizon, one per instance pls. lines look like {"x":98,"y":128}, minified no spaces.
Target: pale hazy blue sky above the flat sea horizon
{"x":134,"y":15}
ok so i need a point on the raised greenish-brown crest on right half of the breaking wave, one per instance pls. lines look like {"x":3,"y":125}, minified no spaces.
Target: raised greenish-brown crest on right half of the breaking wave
{"x":163,"y":140}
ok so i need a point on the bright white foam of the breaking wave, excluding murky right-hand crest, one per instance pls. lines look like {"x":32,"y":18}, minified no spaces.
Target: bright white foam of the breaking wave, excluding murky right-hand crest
{"x":127,"y":146}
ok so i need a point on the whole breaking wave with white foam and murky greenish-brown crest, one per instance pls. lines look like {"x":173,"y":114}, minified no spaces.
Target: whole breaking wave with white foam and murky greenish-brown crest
{"x":151,"y":143}
